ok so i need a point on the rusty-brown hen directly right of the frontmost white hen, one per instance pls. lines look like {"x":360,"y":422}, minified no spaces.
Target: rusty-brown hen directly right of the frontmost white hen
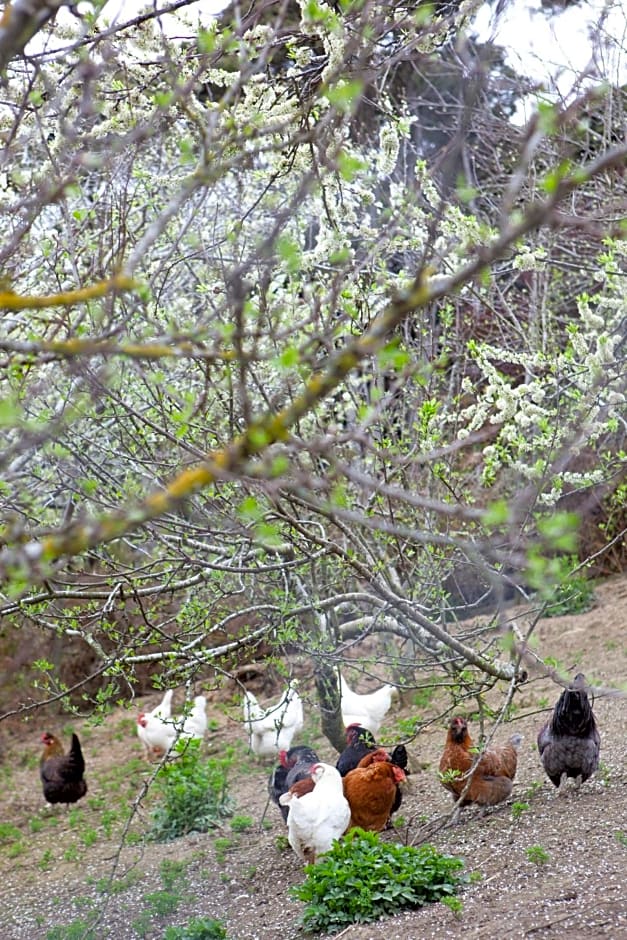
{"x":371,"y":790}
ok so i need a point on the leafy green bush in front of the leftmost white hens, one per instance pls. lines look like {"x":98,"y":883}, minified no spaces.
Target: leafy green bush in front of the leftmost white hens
{"x":193,"y":793}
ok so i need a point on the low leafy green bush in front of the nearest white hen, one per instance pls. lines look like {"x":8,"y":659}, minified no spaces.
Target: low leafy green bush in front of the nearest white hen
{"x":362,"y":879}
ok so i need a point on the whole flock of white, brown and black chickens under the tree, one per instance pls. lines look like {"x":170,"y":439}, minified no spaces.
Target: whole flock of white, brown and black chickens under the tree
{"x":320,"y":802}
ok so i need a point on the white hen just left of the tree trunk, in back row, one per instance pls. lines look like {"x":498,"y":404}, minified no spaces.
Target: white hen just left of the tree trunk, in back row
{"x":272,"y":729}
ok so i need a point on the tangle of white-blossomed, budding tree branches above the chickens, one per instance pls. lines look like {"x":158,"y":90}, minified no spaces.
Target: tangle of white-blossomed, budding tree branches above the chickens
{"x":303,"y":341}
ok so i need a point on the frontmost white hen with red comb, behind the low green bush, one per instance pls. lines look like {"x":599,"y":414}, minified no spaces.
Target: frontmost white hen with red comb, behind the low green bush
{"x":316,"y":818}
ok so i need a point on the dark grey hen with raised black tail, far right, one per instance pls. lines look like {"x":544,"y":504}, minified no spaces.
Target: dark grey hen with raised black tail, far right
{"x":569,"y":742}
